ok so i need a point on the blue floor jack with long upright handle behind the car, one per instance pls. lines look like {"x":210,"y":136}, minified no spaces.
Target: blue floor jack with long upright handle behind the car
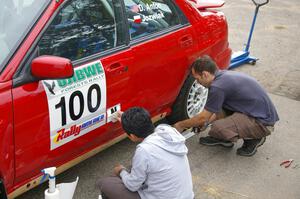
{"x":243,"y":57}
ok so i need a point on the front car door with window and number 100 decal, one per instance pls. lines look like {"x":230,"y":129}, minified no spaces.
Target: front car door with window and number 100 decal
{"x":57,"y":120}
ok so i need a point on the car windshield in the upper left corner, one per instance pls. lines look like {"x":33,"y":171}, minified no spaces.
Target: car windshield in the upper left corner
{"x":16,"y":17}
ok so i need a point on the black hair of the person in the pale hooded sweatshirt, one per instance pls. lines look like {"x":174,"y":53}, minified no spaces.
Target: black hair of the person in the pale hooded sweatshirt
{"x":137,"y":121}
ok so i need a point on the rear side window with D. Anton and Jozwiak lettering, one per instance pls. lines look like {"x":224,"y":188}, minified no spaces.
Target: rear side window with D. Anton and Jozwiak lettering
{"x":149,"y":16}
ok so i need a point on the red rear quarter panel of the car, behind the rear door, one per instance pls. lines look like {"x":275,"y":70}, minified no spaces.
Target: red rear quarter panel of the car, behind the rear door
{"x":211,"y":29}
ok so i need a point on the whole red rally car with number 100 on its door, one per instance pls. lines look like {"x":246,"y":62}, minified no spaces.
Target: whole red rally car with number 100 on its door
{"x":67,"y":65}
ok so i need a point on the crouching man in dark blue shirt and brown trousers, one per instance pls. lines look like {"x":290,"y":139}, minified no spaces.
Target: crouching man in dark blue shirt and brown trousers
{"x":237,"y":106}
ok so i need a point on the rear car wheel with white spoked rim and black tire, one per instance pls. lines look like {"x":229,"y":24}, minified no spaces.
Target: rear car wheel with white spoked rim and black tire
{"x":190,"y":101}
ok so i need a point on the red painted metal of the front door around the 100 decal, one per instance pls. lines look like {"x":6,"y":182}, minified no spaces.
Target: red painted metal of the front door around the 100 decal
{"x":33,"y":149}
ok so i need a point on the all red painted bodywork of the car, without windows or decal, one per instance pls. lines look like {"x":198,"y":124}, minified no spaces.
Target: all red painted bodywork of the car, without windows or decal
{"x":24,"y":120}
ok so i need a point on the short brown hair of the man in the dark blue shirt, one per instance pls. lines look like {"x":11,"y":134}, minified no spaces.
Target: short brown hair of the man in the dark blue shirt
{"x":204,"y":63}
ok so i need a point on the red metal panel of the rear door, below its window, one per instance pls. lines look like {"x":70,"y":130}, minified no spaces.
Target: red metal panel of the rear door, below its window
{"x":158,"y":76}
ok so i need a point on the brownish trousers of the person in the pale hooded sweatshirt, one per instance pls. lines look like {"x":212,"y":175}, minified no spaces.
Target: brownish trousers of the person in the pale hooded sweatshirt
{"x":114,"y":188}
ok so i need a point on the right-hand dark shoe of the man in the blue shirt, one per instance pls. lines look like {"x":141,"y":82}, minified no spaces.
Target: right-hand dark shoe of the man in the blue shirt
{"x":249,"y":147}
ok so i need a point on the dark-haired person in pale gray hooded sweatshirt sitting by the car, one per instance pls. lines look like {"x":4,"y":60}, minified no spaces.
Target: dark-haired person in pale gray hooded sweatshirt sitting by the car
{"x":160,"y":168}
